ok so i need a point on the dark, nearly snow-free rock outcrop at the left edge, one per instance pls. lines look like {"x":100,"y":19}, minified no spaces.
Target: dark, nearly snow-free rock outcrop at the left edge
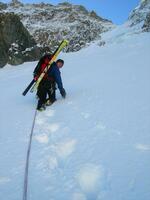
{"x":16,"y":44}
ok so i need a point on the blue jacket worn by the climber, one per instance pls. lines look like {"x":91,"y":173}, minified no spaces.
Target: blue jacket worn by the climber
{"x":54,"y":73}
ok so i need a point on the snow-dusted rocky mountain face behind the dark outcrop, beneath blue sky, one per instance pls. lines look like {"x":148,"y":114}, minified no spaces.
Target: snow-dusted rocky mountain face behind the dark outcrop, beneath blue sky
{"x":48,"y":24}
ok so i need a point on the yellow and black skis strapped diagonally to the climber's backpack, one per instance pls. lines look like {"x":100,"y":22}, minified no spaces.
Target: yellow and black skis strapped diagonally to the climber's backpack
{"x":35,"y":83}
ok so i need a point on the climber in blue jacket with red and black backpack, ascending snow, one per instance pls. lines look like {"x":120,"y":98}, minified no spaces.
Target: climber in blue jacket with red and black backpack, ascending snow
{"x":47,"y":86}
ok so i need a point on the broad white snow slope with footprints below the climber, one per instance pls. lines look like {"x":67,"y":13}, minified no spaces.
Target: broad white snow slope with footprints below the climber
{"x":95,"y":144}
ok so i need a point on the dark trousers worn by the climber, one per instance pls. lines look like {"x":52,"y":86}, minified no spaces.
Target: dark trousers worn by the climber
{"x":45,"y":88}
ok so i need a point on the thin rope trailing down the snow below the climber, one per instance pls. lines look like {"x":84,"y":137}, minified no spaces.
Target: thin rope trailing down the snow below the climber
{"x":25,"y":188}
